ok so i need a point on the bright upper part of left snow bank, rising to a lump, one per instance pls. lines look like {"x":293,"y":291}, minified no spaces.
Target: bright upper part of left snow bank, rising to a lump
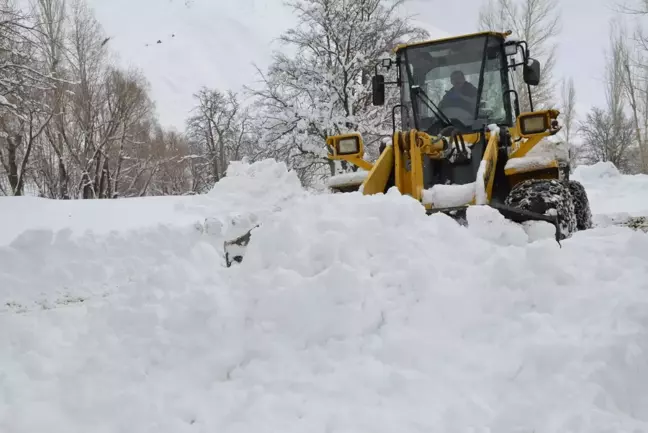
{"x":244,"y":194}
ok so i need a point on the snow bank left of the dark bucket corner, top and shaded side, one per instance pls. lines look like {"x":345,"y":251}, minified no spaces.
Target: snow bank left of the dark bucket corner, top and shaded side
{"x":52,"y":251}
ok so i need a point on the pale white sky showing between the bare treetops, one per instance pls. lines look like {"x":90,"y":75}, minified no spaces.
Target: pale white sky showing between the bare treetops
{"x":216,"y":42}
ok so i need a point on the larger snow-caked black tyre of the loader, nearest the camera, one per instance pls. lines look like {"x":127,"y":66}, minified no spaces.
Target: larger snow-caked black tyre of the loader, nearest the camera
{"x":547,"y":197}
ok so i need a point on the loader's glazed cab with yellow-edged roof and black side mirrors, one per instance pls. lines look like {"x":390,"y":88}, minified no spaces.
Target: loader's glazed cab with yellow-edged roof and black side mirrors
{"x":430,"y":98}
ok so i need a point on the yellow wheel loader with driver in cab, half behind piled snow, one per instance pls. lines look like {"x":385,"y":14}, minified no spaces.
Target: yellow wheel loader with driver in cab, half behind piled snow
{"x":462,"y":139}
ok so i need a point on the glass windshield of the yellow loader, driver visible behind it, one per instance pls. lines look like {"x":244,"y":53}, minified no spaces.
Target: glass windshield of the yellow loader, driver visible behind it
{"x":465,"y":79}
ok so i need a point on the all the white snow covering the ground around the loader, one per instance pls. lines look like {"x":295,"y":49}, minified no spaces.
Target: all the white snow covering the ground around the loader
{"x":348,"y":314}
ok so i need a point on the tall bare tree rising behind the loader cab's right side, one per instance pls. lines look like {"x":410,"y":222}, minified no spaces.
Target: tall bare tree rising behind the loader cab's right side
{"x":537,"y":22}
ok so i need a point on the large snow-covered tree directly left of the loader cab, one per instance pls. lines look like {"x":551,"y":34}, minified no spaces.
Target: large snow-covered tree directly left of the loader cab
{"x":322,"y":86}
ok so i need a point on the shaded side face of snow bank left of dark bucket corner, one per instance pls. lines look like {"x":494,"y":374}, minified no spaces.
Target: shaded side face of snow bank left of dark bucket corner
{"x":45,"y":269}
